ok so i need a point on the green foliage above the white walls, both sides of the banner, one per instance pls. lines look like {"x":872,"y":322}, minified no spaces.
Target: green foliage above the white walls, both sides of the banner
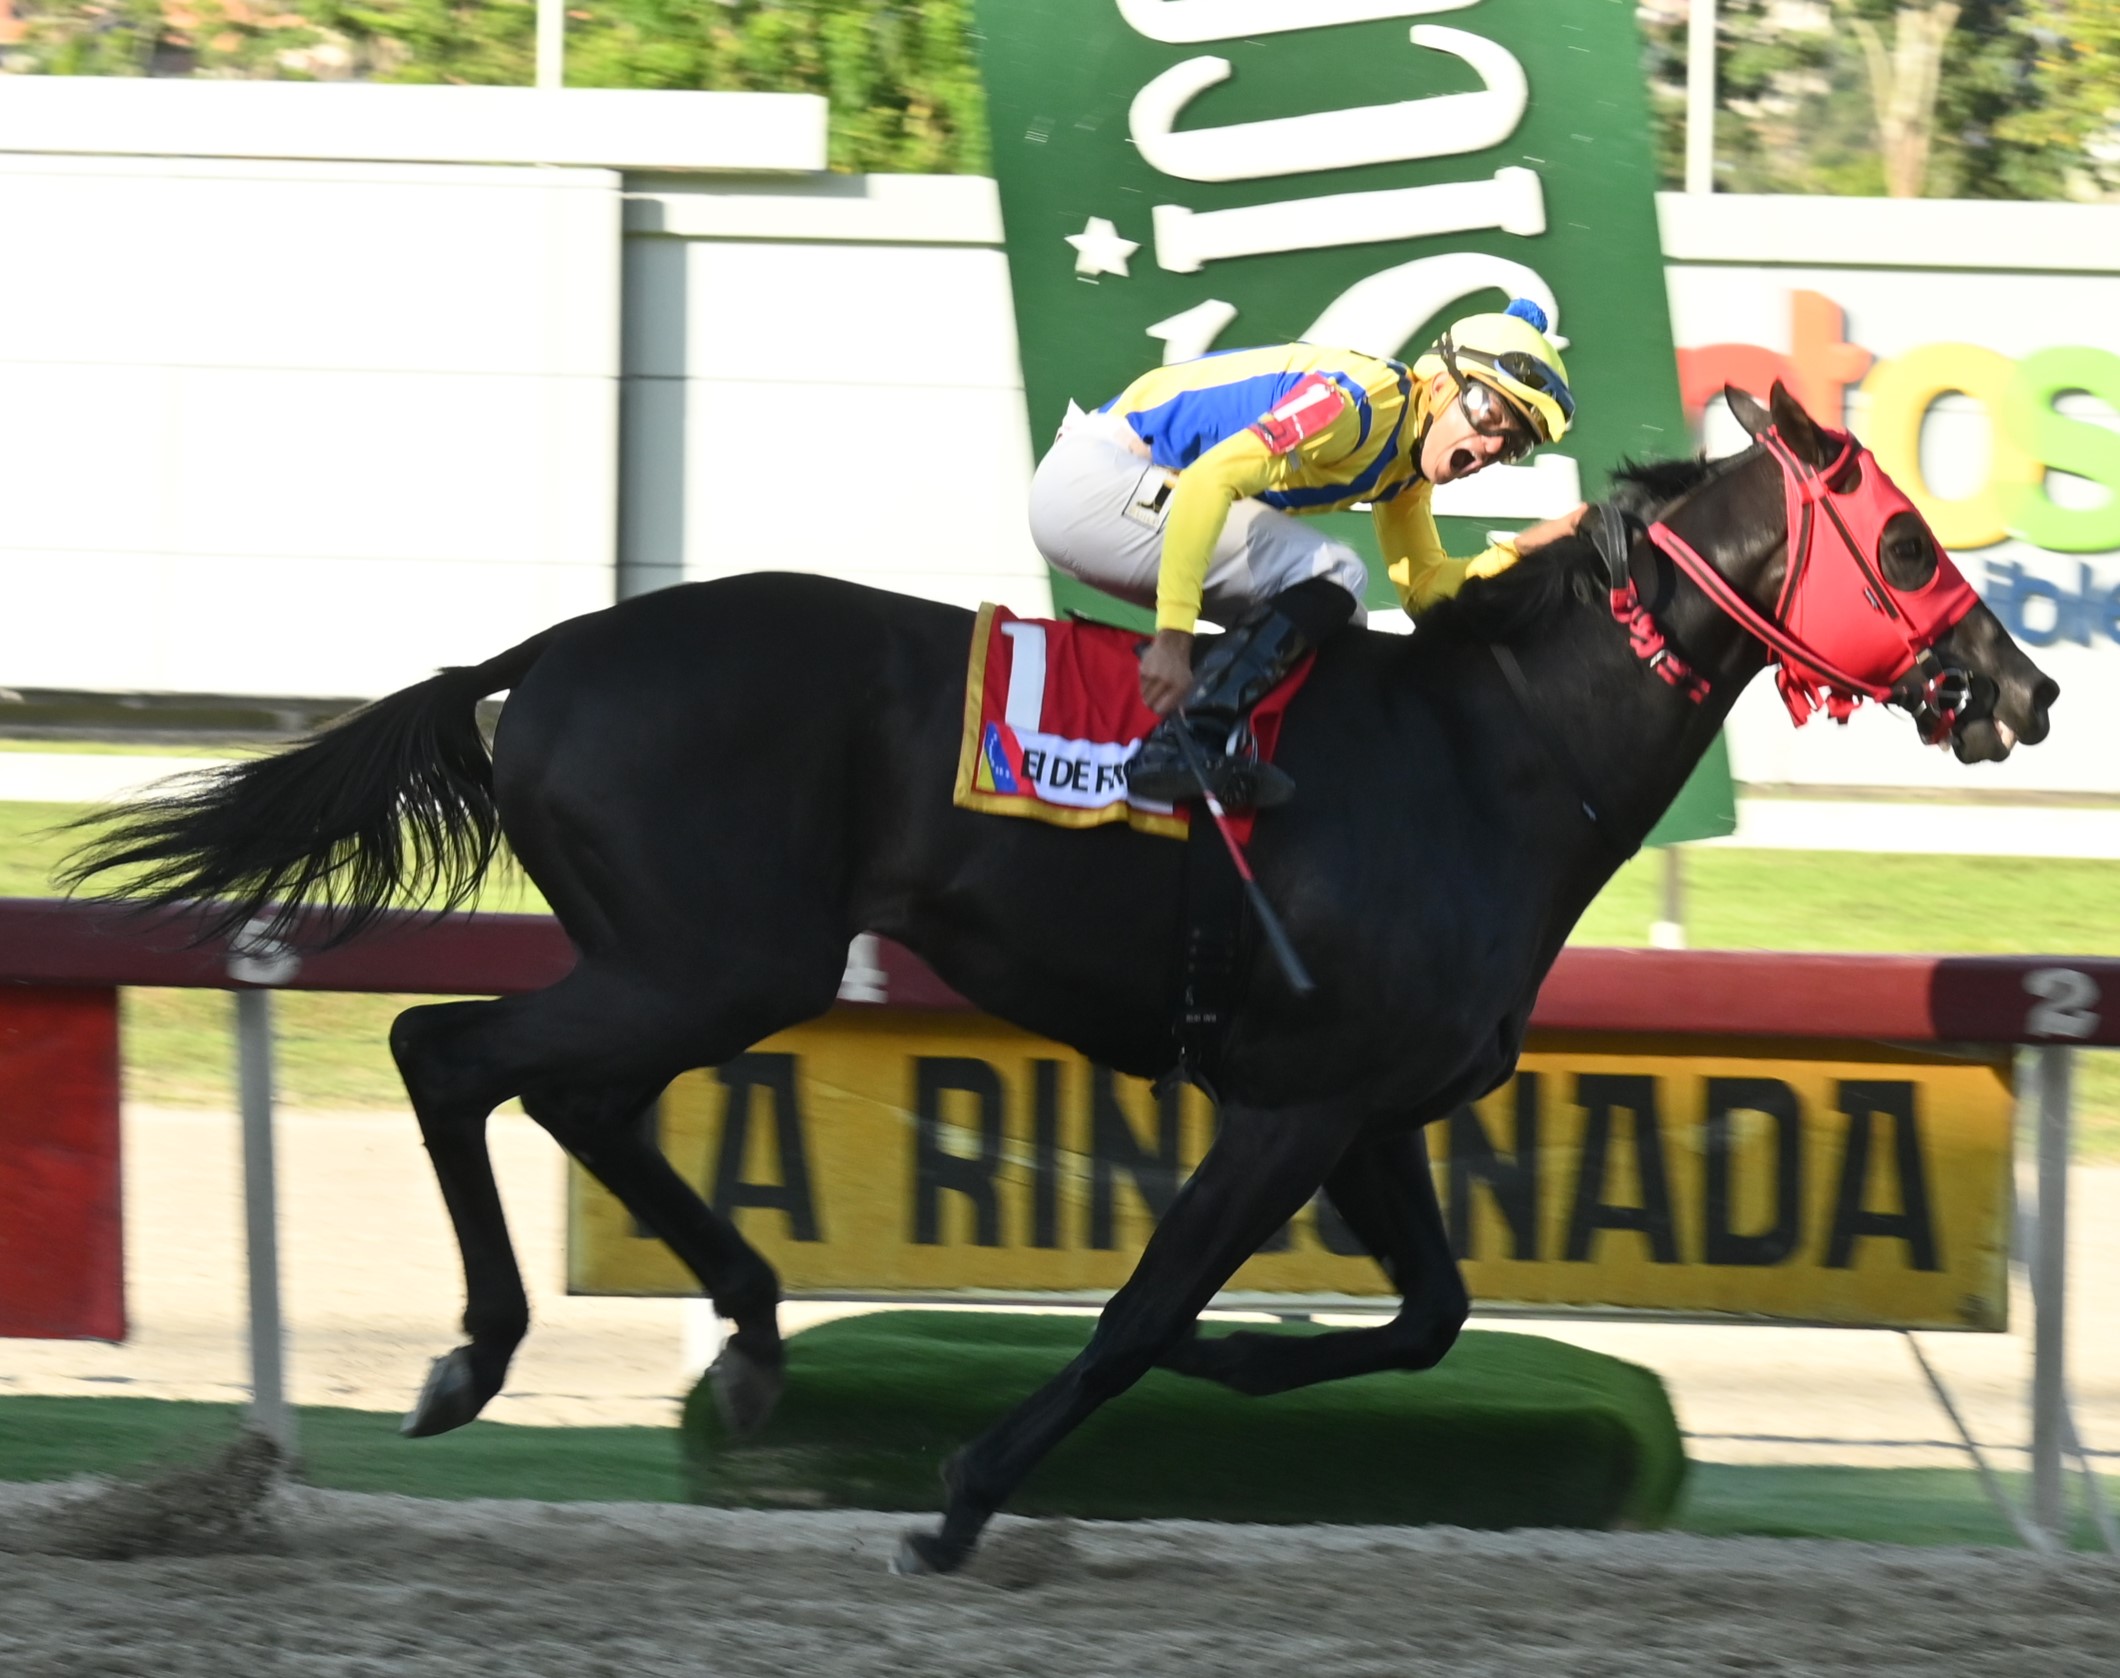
{"x":2030,"y":101}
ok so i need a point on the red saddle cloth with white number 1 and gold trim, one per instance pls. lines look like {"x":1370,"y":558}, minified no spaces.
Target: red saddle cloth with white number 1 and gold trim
{"x":1053,"y":717}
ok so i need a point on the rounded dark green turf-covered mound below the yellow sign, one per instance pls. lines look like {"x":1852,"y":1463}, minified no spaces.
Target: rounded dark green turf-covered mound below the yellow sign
{"x":1510,"y":1431}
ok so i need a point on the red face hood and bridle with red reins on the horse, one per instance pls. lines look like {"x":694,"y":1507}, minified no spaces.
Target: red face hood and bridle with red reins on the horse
{"x":1839,"y":632}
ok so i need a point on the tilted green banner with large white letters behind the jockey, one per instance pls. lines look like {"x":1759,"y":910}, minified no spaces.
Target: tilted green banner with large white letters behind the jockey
{"x":1182,"y":177}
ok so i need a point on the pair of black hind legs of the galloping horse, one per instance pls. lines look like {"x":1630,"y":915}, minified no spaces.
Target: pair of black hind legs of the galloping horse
{"x":586,"y":1054}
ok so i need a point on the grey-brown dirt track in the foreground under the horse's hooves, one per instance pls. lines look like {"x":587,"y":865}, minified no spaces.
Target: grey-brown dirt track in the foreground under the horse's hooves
{"x":357,"y":1588}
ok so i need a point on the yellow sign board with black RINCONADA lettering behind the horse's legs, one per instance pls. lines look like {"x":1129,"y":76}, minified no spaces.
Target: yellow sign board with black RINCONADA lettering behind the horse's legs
{"x":947,"y":1156}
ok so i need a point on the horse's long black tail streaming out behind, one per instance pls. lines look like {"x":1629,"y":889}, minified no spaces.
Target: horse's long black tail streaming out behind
{"x":391,"y":806}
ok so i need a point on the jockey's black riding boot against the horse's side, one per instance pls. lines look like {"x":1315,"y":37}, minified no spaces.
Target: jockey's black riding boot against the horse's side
{"x":1237,"y":671}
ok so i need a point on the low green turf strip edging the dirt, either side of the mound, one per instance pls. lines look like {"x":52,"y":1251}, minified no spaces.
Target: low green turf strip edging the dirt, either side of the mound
{"x":50,"y":1440}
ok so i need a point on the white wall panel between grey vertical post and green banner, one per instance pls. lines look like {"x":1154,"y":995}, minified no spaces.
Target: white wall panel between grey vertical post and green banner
{"x":828,"y":406}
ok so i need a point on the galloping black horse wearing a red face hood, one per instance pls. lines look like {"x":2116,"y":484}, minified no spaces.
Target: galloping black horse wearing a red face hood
{"x":720,"y":785}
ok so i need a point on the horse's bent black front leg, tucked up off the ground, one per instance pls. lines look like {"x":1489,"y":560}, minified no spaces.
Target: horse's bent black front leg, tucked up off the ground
{"x":1388,"y":1198}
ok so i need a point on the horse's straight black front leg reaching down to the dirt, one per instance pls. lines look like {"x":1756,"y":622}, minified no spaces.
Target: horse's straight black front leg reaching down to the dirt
{"x":1256,"y":1177}
